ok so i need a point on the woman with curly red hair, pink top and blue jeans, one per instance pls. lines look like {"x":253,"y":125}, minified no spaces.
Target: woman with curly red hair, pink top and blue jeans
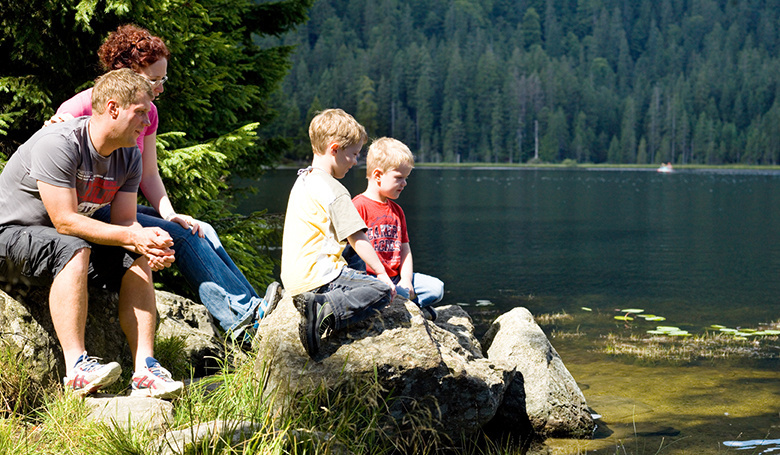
{"x":201,"y":259}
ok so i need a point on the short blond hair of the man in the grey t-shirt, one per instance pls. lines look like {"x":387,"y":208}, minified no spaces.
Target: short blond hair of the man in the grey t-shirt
{"x":123,"y":85}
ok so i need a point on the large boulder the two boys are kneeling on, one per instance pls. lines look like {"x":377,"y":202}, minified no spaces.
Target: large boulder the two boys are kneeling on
{"x":427,"y":368}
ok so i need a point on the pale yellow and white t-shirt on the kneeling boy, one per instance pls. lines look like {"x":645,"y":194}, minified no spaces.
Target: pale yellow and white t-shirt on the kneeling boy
{"x":320,"y":217}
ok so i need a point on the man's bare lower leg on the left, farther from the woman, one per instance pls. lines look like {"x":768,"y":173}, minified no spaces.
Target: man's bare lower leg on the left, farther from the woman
{"x":68,"y":303}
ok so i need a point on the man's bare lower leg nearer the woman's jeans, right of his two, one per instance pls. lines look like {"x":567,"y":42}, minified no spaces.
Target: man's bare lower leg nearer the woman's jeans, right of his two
{"x":138,"y":311}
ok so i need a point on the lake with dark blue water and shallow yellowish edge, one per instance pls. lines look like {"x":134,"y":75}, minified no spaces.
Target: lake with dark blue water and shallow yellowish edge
{"x":698,"y":248}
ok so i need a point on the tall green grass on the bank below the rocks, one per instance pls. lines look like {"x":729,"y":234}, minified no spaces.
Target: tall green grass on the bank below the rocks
{"x":348,"y":418}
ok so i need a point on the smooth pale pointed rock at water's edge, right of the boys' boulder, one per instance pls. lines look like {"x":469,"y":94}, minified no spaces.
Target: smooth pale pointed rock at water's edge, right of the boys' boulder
{"x":543,"y":394}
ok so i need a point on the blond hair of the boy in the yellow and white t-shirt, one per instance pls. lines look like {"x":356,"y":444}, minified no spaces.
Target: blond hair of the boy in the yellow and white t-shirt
{"x":335,"y":125}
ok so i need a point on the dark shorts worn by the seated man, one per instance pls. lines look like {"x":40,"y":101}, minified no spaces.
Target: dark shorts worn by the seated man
{"x":34,"y":255}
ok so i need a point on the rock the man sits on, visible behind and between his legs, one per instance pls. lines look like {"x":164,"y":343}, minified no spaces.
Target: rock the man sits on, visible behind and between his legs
{"x":26,"y":328}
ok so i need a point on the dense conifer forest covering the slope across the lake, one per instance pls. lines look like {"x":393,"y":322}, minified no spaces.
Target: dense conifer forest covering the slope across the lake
{"x":501,"y":81}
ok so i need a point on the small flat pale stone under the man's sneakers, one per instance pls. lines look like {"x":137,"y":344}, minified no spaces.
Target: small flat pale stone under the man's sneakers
{"x":138,"y":413}
